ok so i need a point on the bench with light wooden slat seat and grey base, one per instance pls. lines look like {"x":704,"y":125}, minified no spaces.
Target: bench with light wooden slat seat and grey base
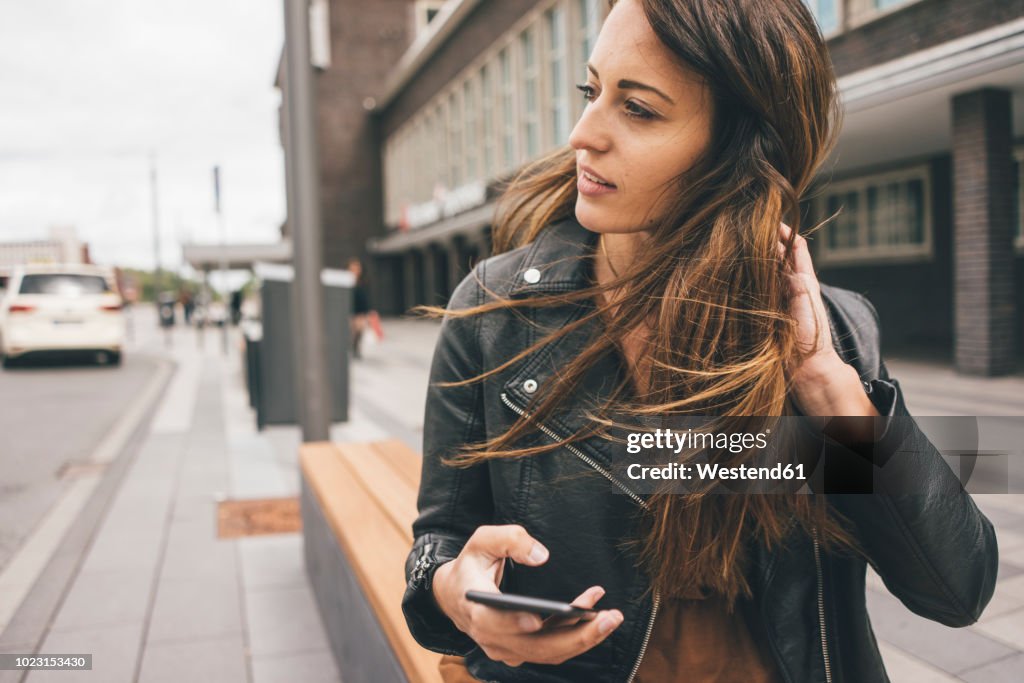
{"x":359,"y":504}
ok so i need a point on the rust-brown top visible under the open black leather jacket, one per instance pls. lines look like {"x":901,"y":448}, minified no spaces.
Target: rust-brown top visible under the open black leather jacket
{"x":694,"y":642}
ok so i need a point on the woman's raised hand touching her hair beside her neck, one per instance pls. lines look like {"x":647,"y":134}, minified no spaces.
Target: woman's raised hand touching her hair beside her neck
{"x":823,"y":383}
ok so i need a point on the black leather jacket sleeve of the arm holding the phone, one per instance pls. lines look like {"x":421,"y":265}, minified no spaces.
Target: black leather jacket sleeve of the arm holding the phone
{"x":453,"y":502}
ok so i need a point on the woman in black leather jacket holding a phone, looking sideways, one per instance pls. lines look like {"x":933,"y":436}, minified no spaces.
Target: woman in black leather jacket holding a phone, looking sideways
{"x":647,"y":273}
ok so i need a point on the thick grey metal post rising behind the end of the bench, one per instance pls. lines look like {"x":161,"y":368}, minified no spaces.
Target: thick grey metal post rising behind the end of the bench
{"x":305,"y":218}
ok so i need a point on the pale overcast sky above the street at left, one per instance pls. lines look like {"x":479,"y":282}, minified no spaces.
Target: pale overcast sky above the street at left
{"x":89,"y":88}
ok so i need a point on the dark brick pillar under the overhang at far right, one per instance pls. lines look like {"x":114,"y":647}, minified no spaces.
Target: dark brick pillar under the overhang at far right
{"x":984,"y":216}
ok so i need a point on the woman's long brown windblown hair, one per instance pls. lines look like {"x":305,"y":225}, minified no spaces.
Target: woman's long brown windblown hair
{"x":707,"y":286}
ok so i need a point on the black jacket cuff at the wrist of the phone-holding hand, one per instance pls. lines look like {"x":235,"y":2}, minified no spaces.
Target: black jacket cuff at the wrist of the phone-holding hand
{"x":431,"y":627}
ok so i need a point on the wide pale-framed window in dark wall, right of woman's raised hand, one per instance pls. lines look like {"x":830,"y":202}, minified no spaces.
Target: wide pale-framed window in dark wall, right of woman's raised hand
{"x":883,"y":217}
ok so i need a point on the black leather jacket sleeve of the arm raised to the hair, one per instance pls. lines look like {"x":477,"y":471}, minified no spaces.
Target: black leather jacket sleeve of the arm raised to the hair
{"x":923,"y":533}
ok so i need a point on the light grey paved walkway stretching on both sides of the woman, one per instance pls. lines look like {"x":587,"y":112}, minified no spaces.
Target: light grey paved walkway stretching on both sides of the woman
{"x":156,"y":596}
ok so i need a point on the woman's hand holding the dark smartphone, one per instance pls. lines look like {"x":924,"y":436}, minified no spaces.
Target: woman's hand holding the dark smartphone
{"x":514,"y":637}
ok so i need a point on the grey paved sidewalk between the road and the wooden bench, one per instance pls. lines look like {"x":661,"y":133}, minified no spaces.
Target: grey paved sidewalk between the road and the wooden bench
{"x":158,"y":596}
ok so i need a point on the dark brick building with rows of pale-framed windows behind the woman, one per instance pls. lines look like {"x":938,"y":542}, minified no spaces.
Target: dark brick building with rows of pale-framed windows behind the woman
{"x":927,"y":172}
